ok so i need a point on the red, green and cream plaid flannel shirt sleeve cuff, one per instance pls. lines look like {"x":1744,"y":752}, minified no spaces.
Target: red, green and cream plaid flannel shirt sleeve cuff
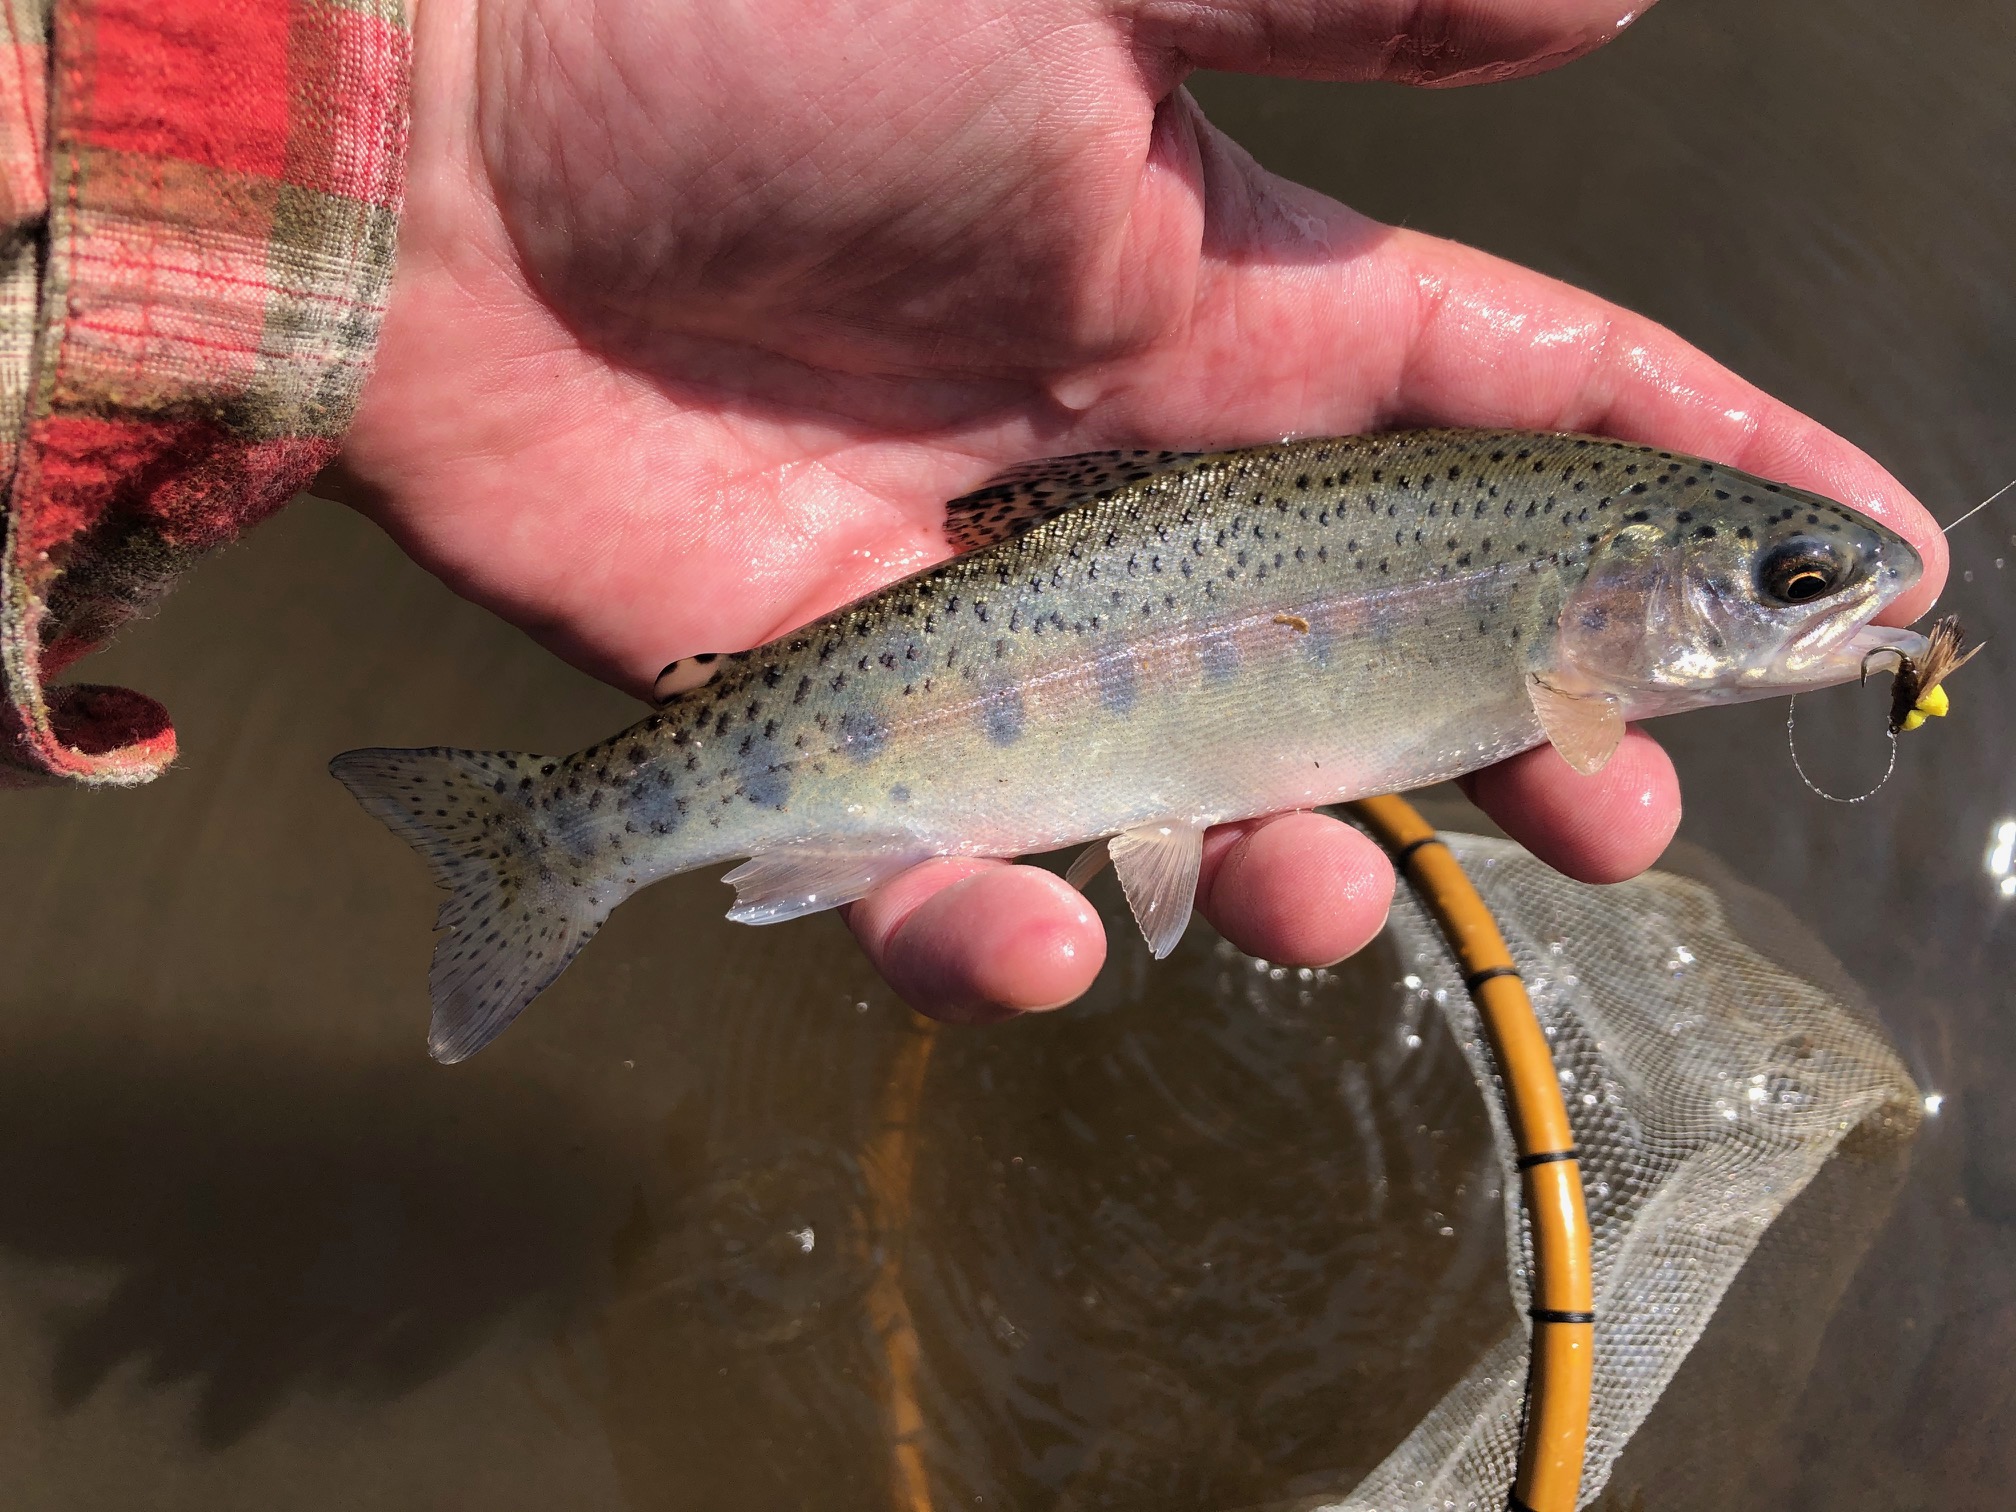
{"x":197,"y":235}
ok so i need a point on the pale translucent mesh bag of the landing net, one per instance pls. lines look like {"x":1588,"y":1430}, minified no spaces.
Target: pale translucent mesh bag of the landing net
{"x":1713,"y":1063}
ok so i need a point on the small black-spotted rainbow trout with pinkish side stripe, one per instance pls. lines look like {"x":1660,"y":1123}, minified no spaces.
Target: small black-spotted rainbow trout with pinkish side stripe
{"x":1134,"y":646}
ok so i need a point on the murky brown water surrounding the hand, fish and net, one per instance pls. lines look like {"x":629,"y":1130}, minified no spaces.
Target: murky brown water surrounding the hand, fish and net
{"x":1207,"y":1241}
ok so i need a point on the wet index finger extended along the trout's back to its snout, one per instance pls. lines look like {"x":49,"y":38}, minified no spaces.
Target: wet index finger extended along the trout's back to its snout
{"x":1317,"y":322}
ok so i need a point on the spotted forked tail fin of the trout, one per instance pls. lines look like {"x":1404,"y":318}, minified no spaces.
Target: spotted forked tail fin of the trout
{"x":513,"y":918}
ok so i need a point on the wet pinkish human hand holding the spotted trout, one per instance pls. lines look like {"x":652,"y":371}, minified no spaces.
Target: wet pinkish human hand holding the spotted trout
{"x":705,"y":309}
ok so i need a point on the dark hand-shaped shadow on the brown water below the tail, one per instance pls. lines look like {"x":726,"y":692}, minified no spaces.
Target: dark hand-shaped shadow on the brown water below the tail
{"x":265,"y":1227}
